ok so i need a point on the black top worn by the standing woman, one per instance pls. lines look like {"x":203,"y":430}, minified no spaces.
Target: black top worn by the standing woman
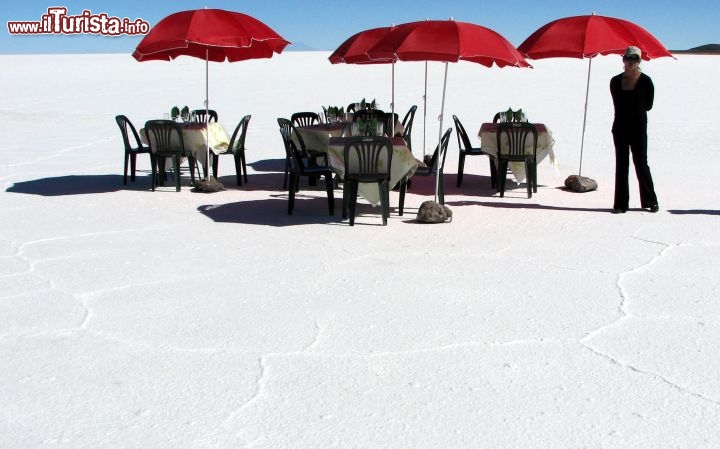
{"x":631,"y":106}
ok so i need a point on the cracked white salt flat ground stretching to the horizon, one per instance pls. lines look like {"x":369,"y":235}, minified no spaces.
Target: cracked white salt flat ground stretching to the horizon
{"x":137,"y":319}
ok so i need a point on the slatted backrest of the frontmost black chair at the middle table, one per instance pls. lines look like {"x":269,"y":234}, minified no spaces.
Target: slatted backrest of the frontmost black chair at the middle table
{"x":368,"y":158}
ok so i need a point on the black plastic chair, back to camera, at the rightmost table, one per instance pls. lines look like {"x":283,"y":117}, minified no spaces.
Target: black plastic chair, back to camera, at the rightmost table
{"x":511,"y":143}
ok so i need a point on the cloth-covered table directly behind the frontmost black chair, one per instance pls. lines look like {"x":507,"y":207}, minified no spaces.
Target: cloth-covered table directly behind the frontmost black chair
{"x":403,"y":164}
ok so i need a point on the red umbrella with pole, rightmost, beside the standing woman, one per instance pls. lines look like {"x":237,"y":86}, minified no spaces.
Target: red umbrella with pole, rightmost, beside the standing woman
{"x":586,"y":37}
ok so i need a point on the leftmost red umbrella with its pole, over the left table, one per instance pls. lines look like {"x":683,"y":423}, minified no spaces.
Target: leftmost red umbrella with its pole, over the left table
{"x":209,"y":34}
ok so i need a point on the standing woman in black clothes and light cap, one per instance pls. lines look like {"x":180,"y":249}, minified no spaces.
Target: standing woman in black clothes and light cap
{"x":632,"y":93}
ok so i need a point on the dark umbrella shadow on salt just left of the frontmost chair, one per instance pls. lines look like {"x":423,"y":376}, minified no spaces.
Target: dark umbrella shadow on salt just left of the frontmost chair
{"x":272,"y":211}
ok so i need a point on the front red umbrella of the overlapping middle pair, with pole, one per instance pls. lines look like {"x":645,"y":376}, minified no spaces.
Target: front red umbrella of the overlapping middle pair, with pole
{"x":447,"y":41}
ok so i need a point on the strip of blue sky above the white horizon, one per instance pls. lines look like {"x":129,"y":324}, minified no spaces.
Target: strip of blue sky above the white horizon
{"x":323,"y":25}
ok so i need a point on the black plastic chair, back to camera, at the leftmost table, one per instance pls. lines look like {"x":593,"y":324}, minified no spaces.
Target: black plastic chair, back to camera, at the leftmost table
{"x":165,"y":137}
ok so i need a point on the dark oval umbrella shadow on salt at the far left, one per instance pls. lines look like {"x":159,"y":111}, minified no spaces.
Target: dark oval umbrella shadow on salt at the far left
{"x":79,"y":185}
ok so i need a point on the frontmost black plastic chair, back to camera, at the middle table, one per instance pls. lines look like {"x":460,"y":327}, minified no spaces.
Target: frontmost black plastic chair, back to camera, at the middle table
{"x":367,"y":160}
